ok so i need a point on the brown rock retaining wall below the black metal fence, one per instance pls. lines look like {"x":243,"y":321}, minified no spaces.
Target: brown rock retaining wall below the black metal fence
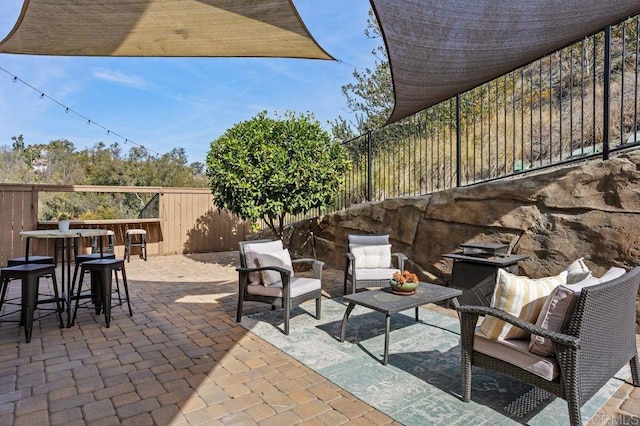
{"x":589,"y":209}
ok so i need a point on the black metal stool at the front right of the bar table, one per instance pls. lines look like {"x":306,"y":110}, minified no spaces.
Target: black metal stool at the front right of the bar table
{"x":102,"y":273}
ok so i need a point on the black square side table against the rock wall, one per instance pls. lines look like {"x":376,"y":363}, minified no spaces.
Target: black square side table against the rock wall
{"x":476,"y":275}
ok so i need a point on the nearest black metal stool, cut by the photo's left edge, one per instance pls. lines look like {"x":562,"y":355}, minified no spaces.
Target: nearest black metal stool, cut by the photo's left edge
{"x":30,"y":275}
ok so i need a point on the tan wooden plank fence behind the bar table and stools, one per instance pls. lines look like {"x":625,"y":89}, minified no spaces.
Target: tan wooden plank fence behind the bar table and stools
{"x":187,"y":221}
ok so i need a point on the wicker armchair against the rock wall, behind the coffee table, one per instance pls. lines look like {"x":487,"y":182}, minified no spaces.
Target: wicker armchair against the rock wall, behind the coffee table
{"x":369,"y":261}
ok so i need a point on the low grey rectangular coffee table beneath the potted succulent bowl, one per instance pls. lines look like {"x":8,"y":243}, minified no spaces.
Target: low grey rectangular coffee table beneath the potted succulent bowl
{"x":383,"y":300}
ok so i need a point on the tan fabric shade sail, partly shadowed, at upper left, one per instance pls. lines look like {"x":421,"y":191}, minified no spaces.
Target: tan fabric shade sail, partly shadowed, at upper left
{"x":189,"y":28}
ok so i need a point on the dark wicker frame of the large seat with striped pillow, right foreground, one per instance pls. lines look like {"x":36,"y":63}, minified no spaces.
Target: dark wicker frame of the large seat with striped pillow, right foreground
{"x":599,"y":340}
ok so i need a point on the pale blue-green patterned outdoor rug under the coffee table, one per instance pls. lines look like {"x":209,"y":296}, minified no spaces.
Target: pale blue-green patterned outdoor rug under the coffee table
{"x":421,"y":383}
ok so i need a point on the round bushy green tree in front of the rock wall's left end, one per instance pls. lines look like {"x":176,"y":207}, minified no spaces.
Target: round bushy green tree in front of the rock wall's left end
{"x":266,"y":168}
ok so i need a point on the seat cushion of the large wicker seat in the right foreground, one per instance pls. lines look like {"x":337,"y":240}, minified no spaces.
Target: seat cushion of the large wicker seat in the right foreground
{"x":516,"y":352}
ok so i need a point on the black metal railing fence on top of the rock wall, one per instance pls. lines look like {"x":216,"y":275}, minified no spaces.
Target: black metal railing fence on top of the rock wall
{"x":577,"y":102}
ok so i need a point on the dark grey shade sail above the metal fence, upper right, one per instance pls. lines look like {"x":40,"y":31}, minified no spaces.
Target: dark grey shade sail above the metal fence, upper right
{"x":439,"y":48}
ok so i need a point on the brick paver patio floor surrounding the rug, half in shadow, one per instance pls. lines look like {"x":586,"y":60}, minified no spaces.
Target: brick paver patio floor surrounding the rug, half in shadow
{"x":182,"y":360}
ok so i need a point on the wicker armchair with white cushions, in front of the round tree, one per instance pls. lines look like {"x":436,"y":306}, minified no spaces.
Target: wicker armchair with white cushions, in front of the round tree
{"x":283,"y":291}
